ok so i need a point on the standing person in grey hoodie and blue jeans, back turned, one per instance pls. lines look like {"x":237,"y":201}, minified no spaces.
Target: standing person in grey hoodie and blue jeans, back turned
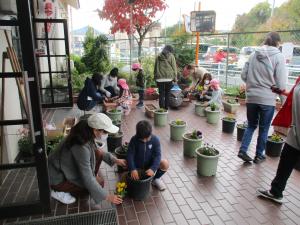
{"x":265,"y":69}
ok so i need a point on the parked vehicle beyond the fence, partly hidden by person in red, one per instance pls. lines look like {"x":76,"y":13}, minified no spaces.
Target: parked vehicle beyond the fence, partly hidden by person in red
{"x":210,"y":55}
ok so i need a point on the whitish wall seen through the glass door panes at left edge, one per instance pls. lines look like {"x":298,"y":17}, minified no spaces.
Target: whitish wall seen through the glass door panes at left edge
{"x":11,"y":108}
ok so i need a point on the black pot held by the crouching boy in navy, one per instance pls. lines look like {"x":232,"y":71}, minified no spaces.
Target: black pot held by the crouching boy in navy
{"x":138,"y":189}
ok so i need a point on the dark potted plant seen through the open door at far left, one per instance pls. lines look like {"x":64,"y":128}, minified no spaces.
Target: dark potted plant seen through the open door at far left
{"x":25,"y":146}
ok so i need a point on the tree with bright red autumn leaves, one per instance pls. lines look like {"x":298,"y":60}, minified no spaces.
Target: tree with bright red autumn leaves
{"x":143,"y":16}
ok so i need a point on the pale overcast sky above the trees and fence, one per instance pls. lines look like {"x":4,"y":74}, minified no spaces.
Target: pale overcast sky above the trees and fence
{"x":226,"y":10}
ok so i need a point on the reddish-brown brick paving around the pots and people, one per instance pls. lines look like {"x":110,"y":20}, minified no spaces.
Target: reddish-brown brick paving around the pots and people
{"x":227,"y":198}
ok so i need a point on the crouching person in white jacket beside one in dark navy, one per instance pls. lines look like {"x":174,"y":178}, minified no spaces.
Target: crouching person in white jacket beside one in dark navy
{"x":109,"y":84}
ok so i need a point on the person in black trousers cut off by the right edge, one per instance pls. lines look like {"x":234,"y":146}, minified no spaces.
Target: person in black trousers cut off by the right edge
{"x":289,"y":156}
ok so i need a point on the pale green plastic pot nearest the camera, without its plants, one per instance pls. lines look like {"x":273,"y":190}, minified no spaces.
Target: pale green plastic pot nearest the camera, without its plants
{"x":206,"y":165}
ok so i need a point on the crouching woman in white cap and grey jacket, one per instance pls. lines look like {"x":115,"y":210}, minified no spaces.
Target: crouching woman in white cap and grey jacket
{"x":73,"y":167}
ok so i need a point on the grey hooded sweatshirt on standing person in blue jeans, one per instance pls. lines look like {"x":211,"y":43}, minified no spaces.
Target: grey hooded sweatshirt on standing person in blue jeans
{"x":266,"y":67}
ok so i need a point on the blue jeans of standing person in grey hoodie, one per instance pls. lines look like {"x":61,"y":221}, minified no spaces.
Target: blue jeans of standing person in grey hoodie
{"x":257,"y":115}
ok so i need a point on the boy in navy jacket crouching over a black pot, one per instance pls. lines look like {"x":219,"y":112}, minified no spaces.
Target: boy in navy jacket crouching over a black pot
{"x":144,"y":152}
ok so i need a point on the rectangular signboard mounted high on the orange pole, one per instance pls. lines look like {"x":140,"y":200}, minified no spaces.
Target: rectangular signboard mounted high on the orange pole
{"x":203,"y":21}
